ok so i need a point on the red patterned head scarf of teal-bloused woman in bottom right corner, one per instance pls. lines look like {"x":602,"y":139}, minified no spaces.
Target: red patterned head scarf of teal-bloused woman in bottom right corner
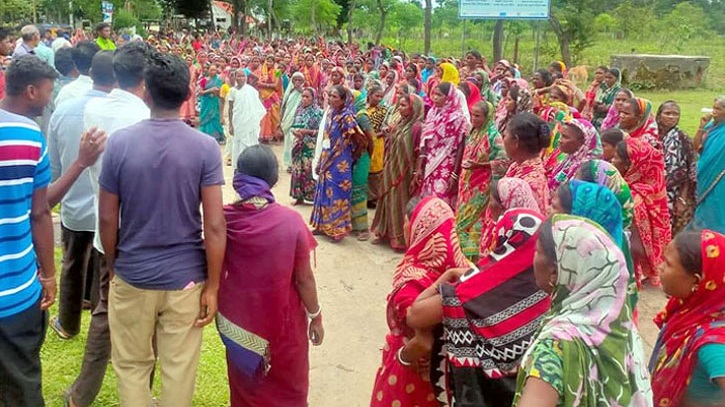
{"x":689,"y":324}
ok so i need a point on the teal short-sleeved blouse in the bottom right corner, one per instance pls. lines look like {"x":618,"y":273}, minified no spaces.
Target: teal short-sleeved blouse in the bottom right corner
{"x":710,"y":366}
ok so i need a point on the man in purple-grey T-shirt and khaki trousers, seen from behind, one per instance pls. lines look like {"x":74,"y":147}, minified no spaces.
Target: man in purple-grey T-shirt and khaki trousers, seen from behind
{"x":166,"y":277}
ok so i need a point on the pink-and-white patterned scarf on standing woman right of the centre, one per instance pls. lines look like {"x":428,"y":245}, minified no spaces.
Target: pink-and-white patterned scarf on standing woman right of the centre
{"x":443,"y":125}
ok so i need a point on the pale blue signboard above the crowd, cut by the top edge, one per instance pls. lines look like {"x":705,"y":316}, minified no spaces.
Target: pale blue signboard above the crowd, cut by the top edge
{"x":504,"y":9}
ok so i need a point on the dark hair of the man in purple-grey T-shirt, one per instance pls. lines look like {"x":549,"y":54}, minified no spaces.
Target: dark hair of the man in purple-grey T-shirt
{"x":167,"y":80}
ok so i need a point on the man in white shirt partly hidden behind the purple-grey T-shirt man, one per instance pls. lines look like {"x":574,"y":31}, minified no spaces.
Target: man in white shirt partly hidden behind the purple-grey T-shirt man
{"x":122,"y":107}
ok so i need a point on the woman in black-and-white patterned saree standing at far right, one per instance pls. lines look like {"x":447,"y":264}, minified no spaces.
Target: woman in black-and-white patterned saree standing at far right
{"x":680,"y":166}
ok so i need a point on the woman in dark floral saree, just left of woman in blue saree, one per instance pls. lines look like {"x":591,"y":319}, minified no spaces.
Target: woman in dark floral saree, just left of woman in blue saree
{"x":304,"y":130}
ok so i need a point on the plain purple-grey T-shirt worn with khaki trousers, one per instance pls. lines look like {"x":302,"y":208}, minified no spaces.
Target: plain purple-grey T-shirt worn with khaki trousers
{"x":158,"y":169}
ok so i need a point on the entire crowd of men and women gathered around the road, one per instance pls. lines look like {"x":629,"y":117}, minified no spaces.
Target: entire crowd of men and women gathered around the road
{"x":530,"y":214}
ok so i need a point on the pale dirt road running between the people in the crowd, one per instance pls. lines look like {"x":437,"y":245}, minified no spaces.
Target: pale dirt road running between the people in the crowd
{"x":353,"y":280}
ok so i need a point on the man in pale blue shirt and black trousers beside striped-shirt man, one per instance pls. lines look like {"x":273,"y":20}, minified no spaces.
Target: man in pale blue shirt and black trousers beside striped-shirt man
{"x":78,"y":220}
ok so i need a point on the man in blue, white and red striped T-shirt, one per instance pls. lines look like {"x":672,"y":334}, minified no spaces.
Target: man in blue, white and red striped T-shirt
{"x":26,"y":227}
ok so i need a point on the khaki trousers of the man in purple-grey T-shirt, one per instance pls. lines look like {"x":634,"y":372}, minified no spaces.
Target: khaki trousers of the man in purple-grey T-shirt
{"x":134,"y":315}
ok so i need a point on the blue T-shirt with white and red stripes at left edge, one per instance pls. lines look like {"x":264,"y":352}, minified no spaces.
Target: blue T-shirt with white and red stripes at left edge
{"x":24,"y":168}
